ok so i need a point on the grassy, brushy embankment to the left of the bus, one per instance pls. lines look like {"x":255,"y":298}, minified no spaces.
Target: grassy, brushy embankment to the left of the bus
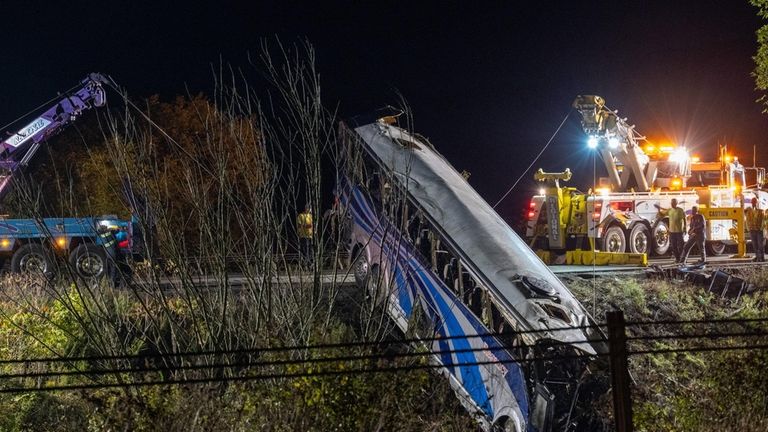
{"x":39,"y":321}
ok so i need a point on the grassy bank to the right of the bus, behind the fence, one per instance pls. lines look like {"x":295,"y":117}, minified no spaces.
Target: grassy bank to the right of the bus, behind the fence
{"x":689,"y":391}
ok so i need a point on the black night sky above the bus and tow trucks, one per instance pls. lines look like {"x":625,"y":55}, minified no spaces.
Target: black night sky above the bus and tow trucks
{"x":488,"y":84}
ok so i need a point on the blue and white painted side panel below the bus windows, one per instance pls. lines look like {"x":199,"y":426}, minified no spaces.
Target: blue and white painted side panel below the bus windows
{"x":490,"y":391}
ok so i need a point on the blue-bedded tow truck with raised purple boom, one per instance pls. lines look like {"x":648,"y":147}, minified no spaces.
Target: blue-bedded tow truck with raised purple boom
{"x":90,"y":244}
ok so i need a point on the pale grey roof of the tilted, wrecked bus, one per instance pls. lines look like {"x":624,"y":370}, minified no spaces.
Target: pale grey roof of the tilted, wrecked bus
{"x":494,"y":253}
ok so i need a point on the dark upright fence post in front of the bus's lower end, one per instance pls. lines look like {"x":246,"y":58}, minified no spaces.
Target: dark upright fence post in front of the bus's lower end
{"x":617,"y":350}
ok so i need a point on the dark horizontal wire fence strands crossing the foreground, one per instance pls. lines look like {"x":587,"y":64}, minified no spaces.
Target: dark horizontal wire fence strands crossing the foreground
{"x":262,"y":363}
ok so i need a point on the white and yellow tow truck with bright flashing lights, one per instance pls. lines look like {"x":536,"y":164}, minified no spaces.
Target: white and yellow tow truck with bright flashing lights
{"x":621,"y":213}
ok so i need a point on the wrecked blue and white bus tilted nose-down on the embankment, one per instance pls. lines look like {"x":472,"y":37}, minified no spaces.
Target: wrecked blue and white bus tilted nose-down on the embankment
{"x":515,"y":344}
